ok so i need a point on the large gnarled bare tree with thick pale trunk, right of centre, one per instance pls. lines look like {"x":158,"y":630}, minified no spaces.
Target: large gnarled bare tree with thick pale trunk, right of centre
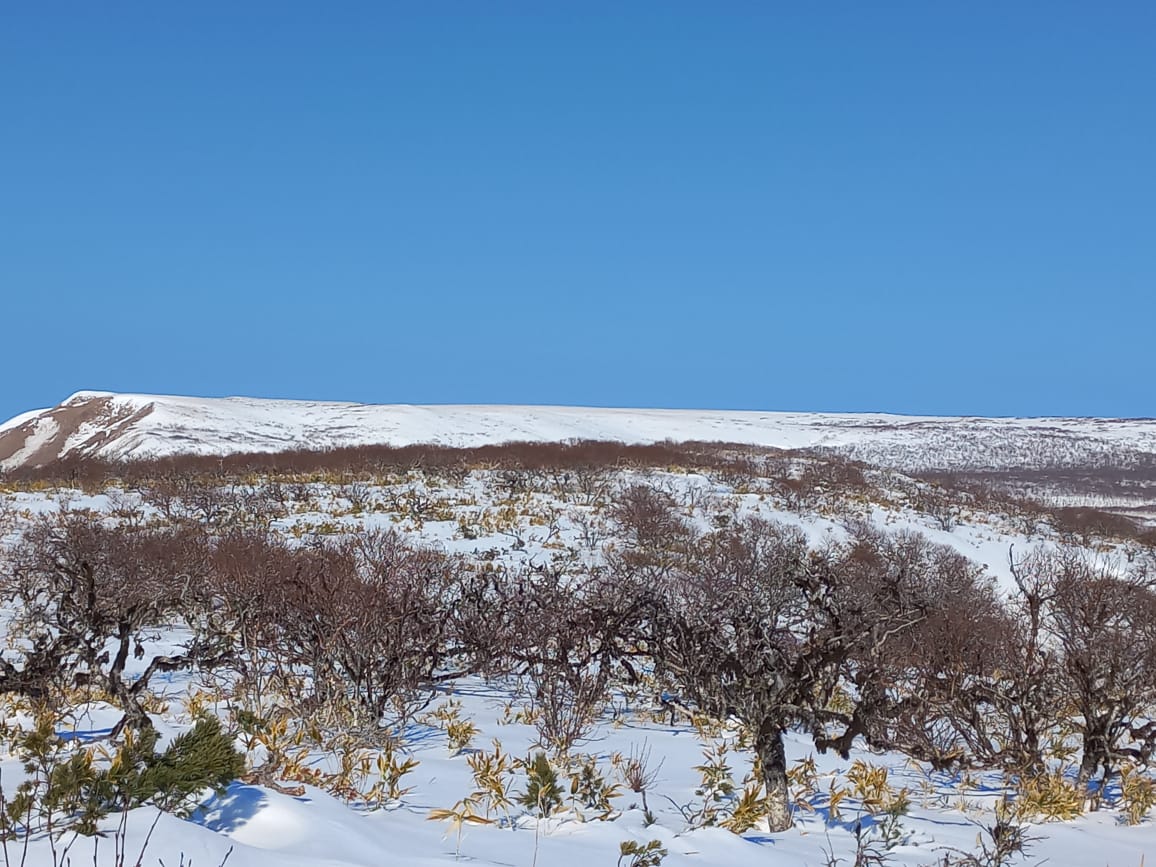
{"x":759,"y":626}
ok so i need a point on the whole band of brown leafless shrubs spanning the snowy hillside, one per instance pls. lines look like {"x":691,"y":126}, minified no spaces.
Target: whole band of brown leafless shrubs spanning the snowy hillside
{"x":879,"y":636}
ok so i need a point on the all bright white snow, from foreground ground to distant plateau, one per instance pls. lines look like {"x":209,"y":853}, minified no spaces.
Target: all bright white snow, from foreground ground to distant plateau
{"x":254,"y":826}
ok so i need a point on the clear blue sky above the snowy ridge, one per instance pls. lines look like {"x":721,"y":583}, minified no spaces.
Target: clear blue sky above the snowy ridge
{"x":915,"y":208}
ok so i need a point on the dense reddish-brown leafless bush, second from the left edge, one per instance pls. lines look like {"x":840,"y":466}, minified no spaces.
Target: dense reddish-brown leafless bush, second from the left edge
{"x":374,"y":623}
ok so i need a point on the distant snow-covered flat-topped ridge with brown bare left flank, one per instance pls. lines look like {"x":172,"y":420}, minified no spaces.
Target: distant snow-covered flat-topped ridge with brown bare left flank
{"x":138,"y":426}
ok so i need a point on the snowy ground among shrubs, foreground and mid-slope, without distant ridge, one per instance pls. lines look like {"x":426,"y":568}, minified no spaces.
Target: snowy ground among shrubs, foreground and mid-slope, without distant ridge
{"x":253,"y":825}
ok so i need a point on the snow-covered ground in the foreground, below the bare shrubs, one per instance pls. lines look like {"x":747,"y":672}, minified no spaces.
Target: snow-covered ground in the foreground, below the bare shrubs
{"x":264,"y":827}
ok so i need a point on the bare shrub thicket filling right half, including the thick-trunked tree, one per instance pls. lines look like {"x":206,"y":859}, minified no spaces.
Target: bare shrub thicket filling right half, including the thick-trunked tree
{"x":896,"y":640}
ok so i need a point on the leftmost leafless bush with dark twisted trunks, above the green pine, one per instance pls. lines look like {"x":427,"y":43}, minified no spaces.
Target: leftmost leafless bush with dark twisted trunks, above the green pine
{"x":83,"y":588}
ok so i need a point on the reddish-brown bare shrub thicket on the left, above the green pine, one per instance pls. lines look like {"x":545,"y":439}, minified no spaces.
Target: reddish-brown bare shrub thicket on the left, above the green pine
{"x":369,"y":620}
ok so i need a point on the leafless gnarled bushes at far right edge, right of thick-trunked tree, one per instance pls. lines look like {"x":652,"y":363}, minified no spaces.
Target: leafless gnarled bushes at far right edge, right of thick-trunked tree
{"x":1073,"y":650}
